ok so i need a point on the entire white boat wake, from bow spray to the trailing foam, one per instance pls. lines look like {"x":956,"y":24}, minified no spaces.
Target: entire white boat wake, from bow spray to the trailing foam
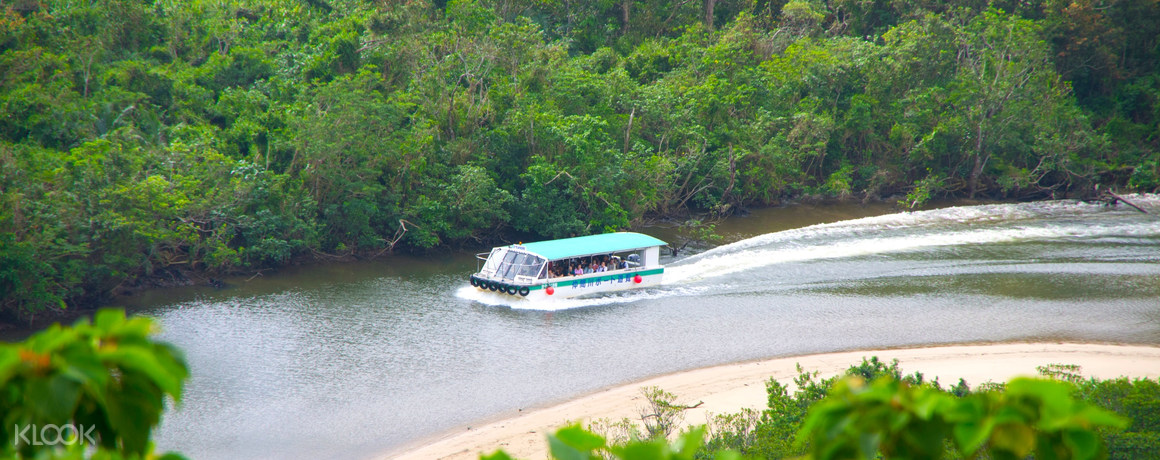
{"x":925,"y":233}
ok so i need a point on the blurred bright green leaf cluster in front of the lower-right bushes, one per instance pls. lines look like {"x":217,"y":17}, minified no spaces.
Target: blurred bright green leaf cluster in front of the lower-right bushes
{"x":901,"y":421}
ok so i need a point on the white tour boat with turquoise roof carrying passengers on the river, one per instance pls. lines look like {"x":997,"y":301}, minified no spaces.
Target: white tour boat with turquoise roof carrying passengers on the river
{"x":571,"y":267}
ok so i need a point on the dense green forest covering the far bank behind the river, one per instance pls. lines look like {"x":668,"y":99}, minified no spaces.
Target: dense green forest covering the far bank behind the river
{"x":159,"y":140}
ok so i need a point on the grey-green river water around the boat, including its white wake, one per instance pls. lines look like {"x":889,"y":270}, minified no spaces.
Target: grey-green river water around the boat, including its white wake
{"x":358,"y":360}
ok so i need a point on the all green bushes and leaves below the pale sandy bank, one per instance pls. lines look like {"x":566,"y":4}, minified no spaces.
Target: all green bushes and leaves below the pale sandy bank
{"x":875,"y":412}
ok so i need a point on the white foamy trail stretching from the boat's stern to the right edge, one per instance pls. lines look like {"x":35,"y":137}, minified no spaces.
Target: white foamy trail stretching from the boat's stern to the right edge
{"x":917,"y":231}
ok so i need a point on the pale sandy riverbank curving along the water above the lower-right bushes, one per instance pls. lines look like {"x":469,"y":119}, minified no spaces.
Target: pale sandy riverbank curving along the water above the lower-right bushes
{"x":729,"y":389}
